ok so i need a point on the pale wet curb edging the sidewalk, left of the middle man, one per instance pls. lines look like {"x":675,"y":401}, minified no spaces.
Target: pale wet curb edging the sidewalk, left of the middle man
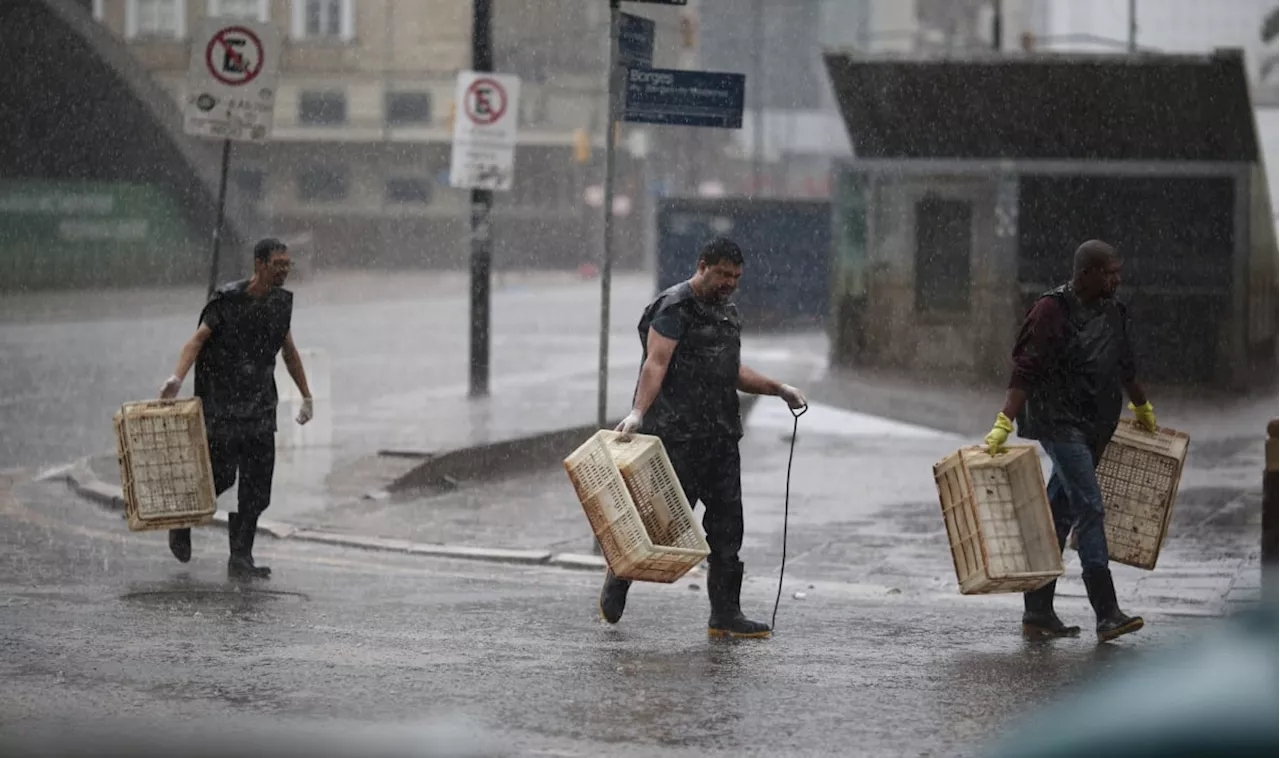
{"x":83,"y":481}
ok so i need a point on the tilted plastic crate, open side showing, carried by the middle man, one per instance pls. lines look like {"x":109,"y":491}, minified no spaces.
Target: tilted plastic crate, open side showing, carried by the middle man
{"x":637,"y":508}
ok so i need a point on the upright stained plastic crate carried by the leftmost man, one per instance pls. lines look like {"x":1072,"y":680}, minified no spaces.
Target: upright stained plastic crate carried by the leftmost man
{"x":166,"y":473}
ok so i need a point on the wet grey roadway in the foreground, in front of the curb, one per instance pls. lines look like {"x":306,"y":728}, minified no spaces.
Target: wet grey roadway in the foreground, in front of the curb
{"x":104,"y":627}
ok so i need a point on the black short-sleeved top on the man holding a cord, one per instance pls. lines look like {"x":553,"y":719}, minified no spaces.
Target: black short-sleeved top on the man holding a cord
{"x":700,"y":395}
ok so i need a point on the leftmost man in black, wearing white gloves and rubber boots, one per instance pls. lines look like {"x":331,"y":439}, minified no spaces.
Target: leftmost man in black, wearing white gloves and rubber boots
{"x":243,"y":328}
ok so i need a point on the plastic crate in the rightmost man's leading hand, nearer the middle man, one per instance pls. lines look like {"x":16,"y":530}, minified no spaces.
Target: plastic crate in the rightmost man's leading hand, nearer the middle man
{"x":998,"y":519}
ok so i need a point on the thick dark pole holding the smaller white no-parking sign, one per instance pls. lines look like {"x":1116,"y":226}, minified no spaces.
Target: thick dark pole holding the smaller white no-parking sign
{"x":482,"y":236}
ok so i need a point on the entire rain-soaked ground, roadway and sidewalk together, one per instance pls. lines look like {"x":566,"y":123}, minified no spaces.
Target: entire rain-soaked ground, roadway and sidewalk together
{"x":876,"y":652}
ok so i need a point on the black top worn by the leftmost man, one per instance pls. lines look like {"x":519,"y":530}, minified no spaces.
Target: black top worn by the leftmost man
{"x":236,"y":368}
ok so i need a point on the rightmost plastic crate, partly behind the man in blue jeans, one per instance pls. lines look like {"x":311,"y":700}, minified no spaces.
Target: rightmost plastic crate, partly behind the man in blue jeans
{"x":1139,"y":474}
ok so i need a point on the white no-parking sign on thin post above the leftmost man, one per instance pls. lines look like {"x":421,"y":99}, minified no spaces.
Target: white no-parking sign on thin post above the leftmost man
{"x":231,"y":80}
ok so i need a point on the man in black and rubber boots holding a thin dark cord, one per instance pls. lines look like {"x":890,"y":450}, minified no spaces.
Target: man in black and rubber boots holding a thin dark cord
{"x":687,"y":396}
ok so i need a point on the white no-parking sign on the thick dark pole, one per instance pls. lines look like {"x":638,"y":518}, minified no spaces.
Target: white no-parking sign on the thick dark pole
{"x":486,"y":126}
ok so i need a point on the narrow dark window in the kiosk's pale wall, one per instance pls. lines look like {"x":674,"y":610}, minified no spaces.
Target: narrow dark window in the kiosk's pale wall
{"x":943,"y":248}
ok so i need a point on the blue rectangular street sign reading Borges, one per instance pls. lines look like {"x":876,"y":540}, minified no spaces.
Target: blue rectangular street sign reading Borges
{"x":685,"y":98}
